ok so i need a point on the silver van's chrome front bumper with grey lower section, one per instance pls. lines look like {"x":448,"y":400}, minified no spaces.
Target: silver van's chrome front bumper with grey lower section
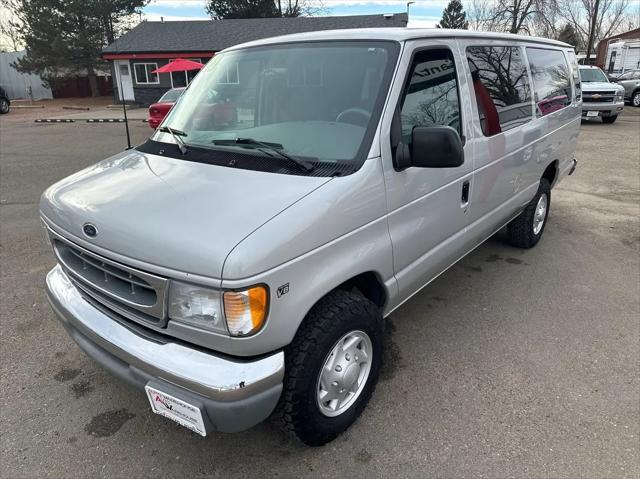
{"x":233,"y":394}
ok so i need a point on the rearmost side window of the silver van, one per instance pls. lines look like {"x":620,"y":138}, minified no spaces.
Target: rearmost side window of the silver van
{"x":551,"y":81}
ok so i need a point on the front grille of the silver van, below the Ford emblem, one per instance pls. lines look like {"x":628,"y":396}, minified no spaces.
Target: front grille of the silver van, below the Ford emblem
{"x":132,"y":293}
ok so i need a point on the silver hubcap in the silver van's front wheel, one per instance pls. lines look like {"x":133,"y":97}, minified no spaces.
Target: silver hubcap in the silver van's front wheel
{"x":344,"y":373}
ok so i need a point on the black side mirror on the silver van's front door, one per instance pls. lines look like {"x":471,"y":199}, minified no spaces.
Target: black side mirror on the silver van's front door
{"x":431,"y":147}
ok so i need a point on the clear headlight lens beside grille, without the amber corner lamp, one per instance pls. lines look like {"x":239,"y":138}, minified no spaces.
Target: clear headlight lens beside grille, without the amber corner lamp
{"x":197,"y":306}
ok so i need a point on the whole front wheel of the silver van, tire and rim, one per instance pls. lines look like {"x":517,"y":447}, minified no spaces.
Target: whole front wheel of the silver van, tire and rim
{"x":331,"y":367}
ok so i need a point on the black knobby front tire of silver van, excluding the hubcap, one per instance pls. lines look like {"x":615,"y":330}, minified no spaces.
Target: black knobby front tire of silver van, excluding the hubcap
{"x":331,"y":318}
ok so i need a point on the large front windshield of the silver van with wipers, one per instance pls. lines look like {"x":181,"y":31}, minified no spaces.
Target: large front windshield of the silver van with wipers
{"x":315,"y":101}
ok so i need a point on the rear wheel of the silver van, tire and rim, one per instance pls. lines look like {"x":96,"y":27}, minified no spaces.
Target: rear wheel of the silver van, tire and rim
{"x":526,"y":230}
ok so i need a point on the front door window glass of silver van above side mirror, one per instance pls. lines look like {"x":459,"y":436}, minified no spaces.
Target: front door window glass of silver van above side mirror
{"x":431,"y":96}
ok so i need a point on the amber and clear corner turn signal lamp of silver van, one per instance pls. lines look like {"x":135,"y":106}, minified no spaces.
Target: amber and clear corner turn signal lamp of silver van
{"x":246,"y":310}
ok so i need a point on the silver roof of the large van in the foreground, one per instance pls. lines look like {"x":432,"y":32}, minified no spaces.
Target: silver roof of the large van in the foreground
{"x":399,"y":35}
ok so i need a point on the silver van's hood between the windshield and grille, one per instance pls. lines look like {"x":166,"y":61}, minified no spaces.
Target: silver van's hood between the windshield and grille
{"x":172,"y":213}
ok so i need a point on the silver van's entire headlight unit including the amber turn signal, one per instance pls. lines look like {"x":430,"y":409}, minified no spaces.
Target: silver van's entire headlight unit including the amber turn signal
{"x":237,"y":313}
